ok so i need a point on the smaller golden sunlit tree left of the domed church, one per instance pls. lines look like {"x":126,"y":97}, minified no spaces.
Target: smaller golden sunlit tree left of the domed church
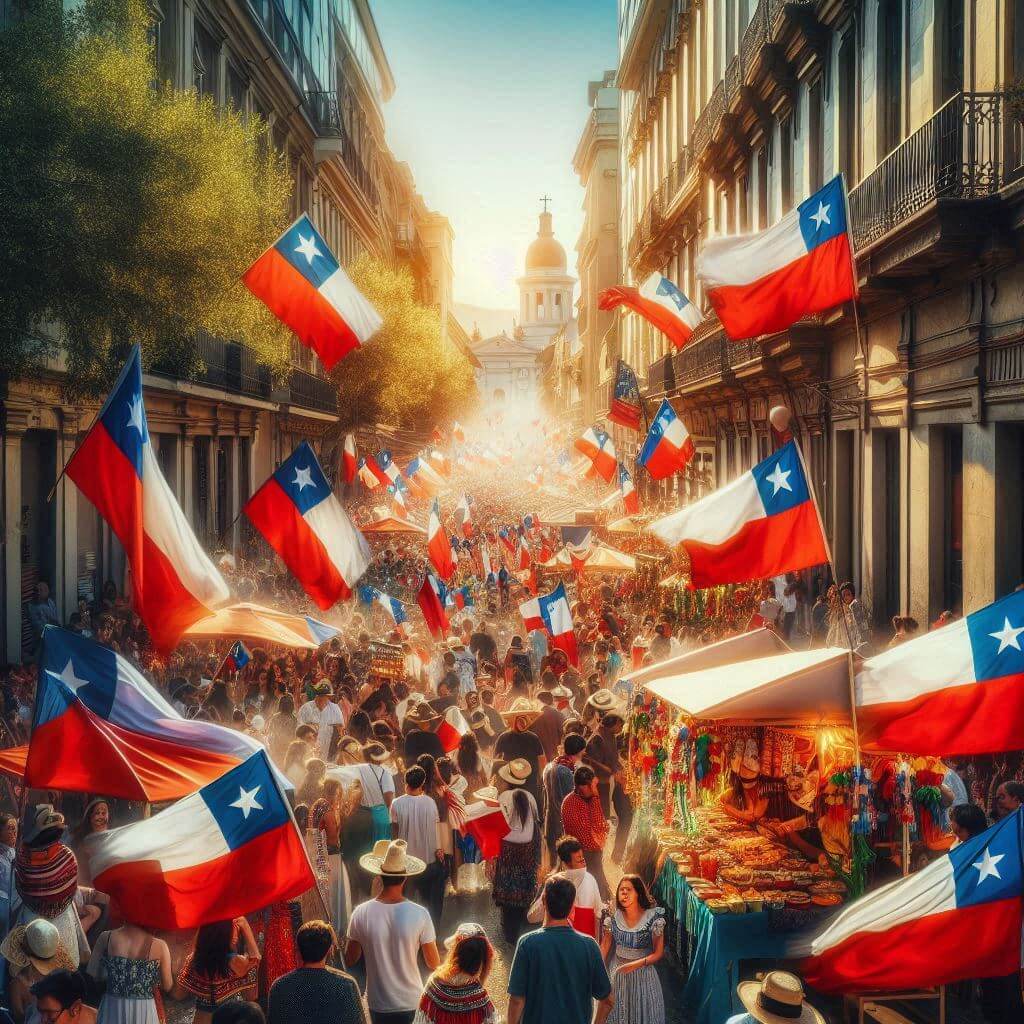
{"x":405,"y":375}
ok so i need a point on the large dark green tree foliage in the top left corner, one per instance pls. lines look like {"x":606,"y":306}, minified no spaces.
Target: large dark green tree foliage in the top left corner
{"x":129,"y":211}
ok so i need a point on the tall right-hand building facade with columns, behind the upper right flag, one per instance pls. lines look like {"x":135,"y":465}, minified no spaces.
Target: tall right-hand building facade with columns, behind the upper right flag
{"x":911,"y":414}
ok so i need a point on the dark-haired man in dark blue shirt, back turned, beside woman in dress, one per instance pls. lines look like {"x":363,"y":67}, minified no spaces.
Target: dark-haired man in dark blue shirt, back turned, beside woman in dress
{"x":558,"y":973}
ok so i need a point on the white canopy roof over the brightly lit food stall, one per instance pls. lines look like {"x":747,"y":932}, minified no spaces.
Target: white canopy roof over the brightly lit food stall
{"x":809,"y":688}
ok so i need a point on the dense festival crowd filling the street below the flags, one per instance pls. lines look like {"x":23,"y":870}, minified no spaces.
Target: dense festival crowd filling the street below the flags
{"x":383,"y":802}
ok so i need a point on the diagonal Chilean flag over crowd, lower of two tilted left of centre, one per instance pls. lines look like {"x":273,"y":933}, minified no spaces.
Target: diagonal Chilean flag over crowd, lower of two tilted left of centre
{"x":303,"y":520}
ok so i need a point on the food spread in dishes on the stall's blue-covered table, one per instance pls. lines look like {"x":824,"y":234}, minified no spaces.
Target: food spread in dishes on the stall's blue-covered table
{"x":735,"y":870}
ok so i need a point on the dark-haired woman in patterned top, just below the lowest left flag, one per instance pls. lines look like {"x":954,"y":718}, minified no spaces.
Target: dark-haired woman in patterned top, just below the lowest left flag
{"x":221,"y":968}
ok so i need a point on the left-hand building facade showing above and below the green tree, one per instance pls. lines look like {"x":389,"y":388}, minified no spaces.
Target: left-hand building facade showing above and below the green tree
{"x":317,"y":73}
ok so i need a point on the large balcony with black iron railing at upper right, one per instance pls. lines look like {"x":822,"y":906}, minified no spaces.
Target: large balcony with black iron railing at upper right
{"x":953,"y":167}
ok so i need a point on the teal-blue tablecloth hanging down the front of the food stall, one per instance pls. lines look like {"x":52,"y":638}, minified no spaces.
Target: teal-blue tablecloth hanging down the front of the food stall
{"x":715,"y":946}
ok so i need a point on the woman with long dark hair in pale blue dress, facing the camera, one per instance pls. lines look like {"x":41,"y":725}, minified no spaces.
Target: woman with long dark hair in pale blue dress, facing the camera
{"x":636,"y":932}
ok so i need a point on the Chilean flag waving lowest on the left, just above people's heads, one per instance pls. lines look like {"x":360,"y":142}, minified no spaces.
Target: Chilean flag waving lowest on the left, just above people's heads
{"x":228,"y":850}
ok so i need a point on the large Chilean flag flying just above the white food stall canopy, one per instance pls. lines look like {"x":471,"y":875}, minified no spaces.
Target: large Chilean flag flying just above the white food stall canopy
{"x":762,"y":525}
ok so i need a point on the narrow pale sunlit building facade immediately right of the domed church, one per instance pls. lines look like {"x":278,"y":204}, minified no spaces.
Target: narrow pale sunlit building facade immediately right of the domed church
{"x":596,"y":164}
